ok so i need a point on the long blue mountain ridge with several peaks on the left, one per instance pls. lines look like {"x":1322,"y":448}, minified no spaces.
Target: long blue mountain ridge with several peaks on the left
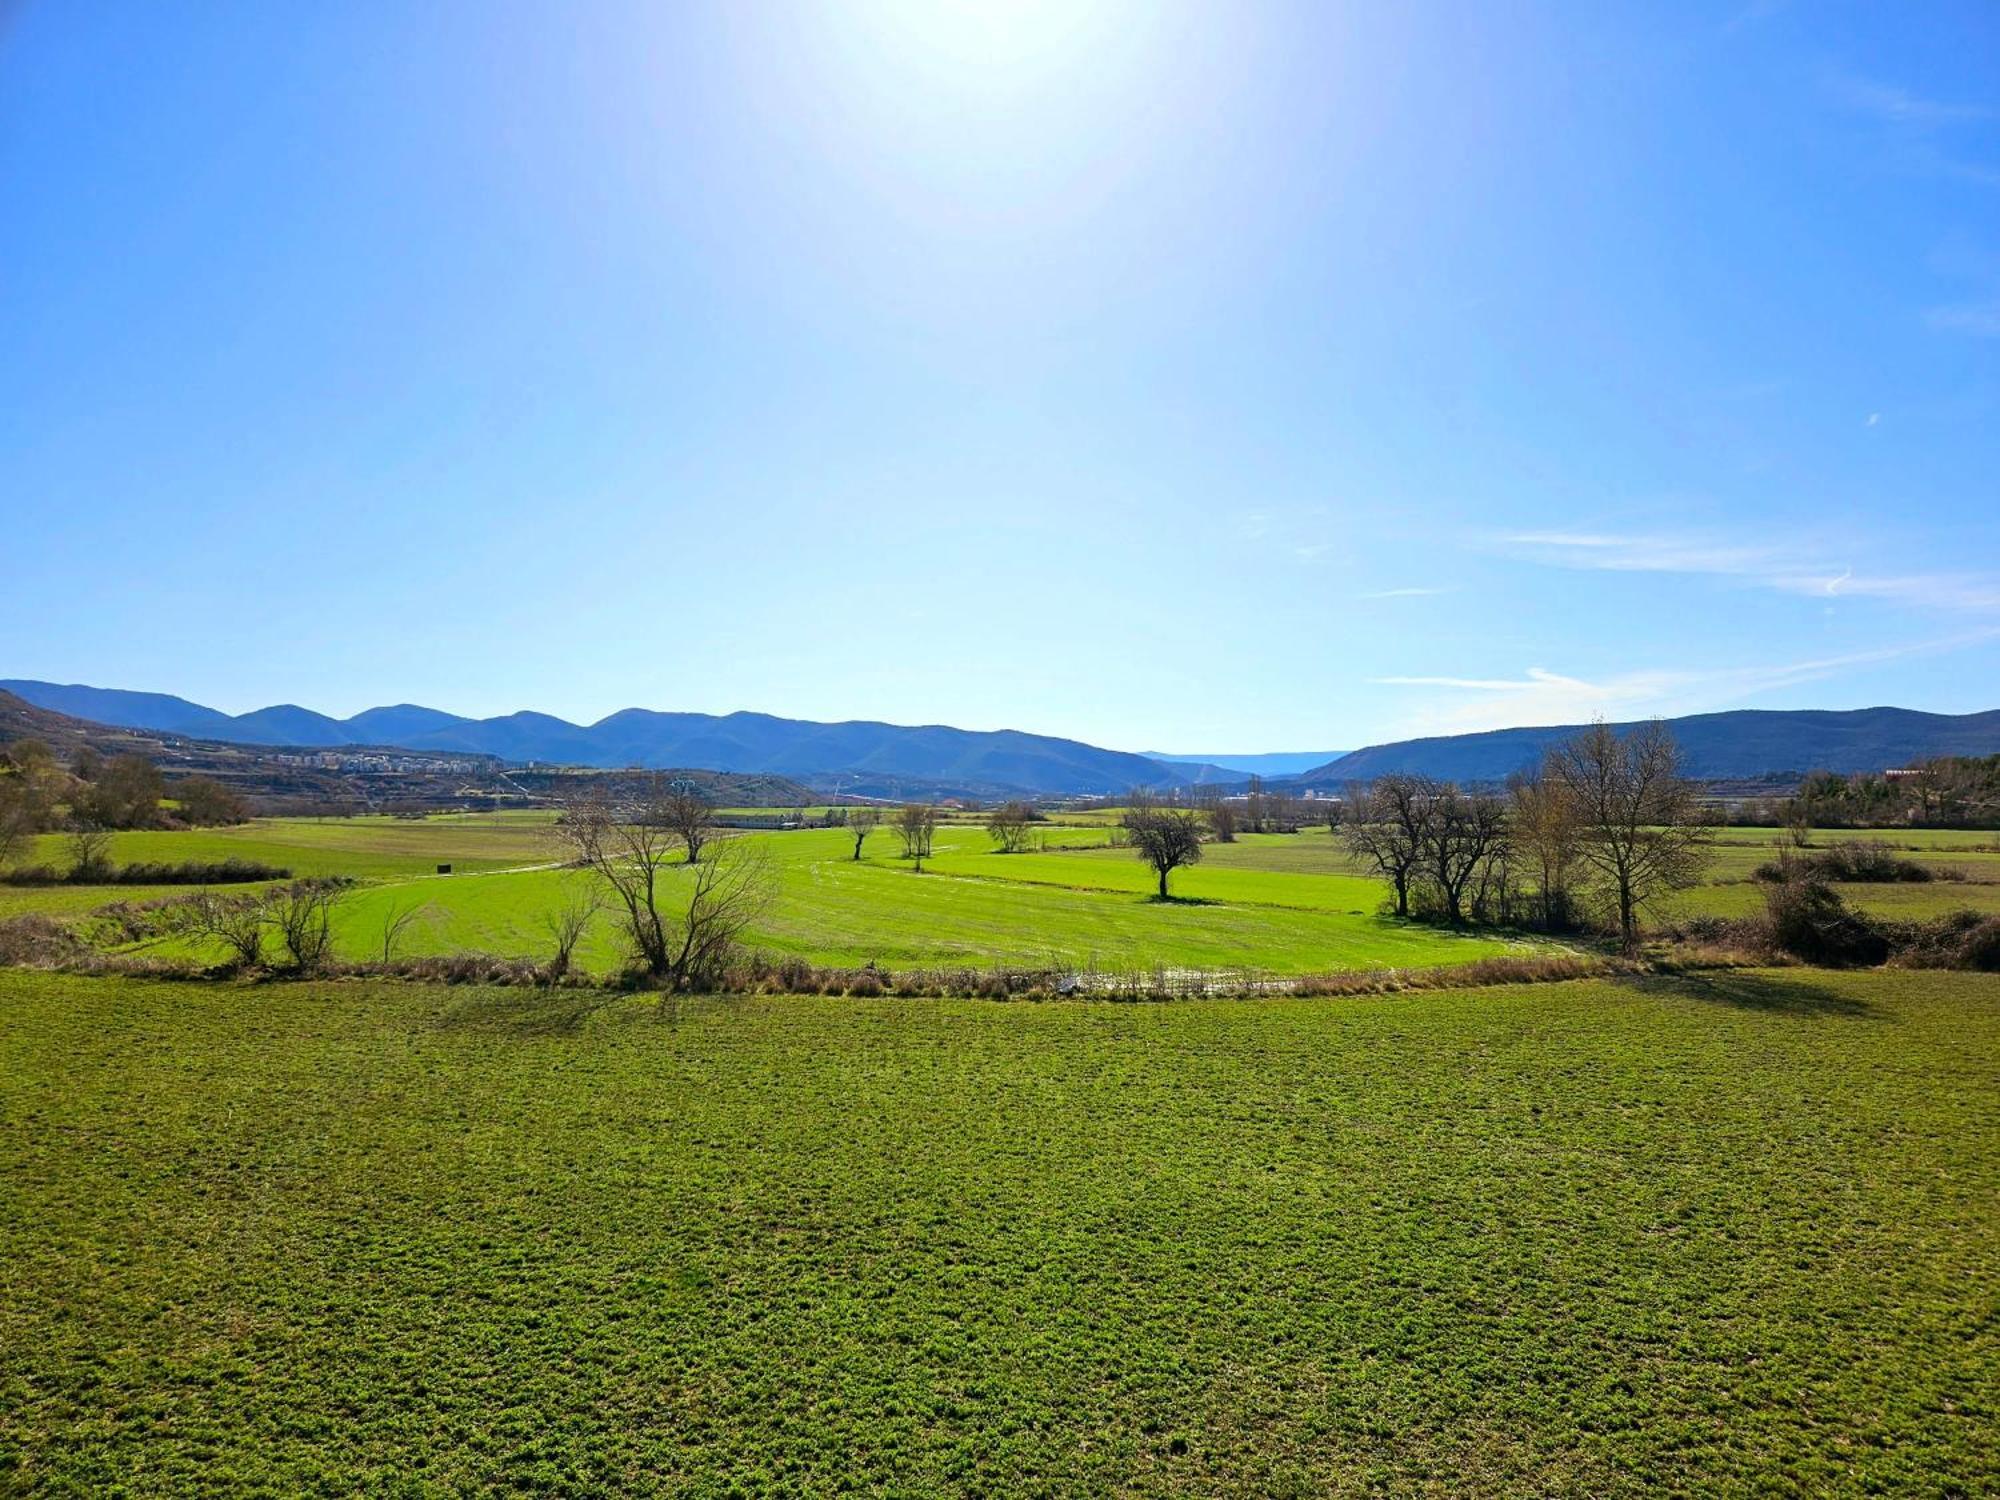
{"x":641,"y":737}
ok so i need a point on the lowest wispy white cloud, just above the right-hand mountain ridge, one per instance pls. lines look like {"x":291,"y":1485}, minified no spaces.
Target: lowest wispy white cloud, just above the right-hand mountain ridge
{"x":1543,"y":697}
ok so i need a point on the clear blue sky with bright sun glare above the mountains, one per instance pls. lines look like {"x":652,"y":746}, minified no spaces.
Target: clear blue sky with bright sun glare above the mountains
{"x":1173,"y":377}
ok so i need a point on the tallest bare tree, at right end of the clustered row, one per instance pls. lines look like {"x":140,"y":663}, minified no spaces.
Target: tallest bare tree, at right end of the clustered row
{"x":1641,"y":823}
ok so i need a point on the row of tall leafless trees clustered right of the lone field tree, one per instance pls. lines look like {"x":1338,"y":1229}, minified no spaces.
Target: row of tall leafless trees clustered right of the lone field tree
{"x":1609,"y":823}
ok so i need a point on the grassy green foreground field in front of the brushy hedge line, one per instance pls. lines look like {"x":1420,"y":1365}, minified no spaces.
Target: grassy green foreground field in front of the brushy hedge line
{"x":1713,"y":1235}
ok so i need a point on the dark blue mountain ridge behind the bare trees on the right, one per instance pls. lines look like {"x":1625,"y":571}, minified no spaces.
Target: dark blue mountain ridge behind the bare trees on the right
{"x":1743,"y":743}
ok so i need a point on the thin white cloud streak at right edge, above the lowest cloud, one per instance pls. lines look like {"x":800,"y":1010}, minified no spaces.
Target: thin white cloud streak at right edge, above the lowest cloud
{"x":1757,"y":565}
